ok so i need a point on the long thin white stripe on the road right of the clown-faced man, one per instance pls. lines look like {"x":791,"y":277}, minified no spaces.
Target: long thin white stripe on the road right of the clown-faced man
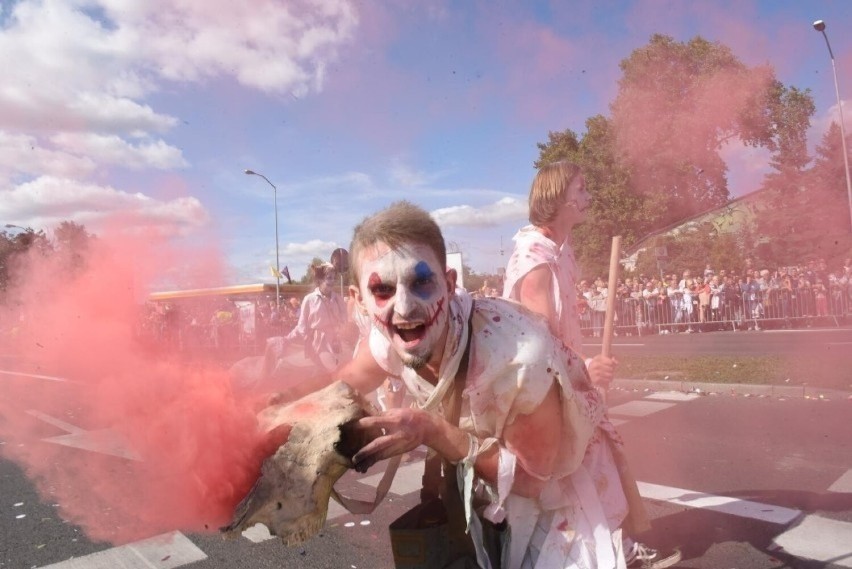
{"x":723,"y":504}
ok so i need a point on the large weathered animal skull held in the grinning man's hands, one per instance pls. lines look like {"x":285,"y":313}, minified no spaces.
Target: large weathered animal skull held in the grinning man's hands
{"x":291,"y":495}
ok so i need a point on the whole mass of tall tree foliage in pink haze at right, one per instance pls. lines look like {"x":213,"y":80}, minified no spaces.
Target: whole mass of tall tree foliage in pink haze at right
{"x":656,"y":160}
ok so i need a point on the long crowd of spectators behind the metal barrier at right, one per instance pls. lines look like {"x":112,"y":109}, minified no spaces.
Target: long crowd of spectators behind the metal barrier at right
{"x":750,"y":298}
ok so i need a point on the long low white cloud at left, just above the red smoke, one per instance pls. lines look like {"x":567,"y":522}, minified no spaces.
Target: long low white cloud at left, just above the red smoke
{"x":47,"y":201}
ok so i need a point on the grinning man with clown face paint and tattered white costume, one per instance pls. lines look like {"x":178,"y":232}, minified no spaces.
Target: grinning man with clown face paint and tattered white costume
{"x":529,"y":414}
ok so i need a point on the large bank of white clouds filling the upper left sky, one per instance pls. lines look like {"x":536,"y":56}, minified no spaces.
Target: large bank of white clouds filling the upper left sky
{"x":78,"y":76}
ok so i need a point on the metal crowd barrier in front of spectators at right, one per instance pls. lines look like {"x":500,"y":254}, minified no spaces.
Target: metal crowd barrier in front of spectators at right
{"x":772,"y":309}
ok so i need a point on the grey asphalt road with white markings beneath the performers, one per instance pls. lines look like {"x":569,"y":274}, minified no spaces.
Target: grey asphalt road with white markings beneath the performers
{"x":734,"y":481}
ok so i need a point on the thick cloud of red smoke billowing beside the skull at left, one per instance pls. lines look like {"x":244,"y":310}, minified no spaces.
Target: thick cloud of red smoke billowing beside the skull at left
{"x":197,"y":441}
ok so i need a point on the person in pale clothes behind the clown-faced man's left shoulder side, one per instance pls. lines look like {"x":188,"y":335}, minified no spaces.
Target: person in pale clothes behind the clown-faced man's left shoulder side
{"x":322,"y":321}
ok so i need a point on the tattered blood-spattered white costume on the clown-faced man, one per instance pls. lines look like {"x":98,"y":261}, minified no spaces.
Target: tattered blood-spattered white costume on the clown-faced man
{"x":513,"y":364}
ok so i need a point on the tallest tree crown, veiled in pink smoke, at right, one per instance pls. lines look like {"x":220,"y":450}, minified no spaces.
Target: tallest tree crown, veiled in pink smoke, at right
{"x":680,"y":103}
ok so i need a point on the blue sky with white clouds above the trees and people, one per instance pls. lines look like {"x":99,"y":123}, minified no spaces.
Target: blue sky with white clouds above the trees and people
{"x":156,"y":107}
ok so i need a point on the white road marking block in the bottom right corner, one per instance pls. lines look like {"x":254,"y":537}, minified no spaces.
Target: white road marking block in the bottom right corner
{"x":820,"y":539}
